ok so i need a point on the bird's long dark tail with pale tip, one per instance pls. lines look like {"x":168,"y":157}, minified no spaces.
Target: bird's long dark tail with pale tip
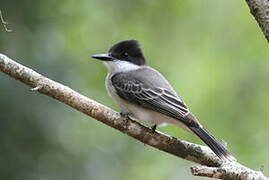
{"x":216,"y":146}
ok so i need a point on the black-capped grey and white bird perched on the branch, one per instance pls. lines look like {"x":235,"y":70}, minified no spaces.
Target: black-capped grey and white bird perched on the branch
{"x":144,"y":94}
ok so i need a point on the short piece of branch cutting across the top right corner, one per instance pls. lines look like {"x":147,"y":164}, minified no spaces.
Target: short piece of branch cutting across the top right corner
{"x":260,"y":10}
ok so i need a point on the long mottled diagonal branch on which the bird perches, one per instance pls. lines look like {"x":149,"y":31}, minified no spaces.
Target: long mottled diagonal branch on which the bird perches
{"x":213,"y":166}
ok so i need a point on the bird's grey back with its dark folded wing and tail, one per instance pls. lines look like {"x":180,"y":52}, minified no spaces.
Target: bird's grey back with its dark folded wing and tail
{"x":150,"y":90}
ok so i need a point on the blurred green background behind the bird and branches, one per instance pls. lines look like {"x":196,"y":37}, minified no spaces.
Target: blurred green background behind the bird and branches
{"x":213,"y":52}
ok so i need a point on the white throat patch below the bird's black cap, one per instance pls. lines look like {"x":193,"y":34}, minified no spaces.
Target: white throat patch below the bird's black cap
{"x":120,"y":66}
